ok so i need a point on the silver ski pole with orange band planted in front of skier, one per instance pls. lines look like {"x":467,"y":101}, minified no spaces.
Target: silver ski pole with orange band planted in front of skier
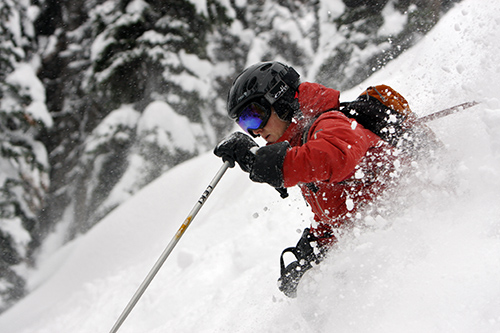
{"x":169,"y":248}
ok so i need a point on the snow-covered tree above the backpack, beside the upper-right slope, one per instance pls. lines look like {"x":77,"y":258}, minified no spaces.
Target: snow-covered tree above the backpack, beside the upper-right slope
{"x":371,"y":33}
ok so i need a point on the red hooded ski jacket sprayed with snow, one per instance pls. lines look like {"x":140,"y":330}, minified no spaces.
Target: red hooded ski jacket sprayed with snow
{"x":340,"y":166}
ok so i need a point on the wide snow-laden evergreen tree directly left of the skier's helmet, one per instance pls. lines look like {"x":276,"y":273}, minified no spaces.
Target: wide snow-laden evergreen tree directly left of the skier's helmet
{"x":126,"y":53}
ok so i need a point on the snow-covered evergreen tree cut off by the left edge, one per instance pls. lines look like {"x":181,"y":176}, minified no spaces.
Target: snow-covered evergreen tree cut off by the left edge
{"x":24,"y":167}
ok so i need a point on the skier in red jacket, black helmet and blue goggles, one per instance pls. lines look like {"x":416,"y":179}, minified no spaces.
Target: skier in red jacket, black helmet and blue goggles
{"x":340,"y":166}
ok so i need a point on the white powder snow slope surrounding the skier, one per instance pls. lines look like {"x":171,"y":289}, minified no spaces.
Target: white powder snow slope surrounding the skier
{"x":433,"y":265}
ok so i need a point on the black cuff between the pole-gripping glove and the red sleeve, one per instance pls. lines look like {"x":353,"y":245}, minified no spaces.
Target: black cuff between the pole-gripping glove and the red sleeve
{"x":268,"y":165}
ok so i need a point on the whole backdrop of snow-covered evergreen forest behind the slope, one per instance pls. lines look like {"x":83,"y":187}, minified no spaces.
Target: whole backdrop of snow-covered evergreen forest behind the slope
{"x":98,"y":98}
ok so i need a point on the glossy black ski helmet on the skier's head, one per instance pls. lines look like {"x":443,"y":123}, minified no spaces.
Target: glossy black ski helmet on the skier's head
{"x":269,"y":83}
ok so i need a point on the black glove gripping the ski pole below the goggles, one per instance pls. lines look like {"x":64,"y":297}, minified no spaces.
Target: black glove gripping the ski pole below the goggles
{"x":236,"y":148}
